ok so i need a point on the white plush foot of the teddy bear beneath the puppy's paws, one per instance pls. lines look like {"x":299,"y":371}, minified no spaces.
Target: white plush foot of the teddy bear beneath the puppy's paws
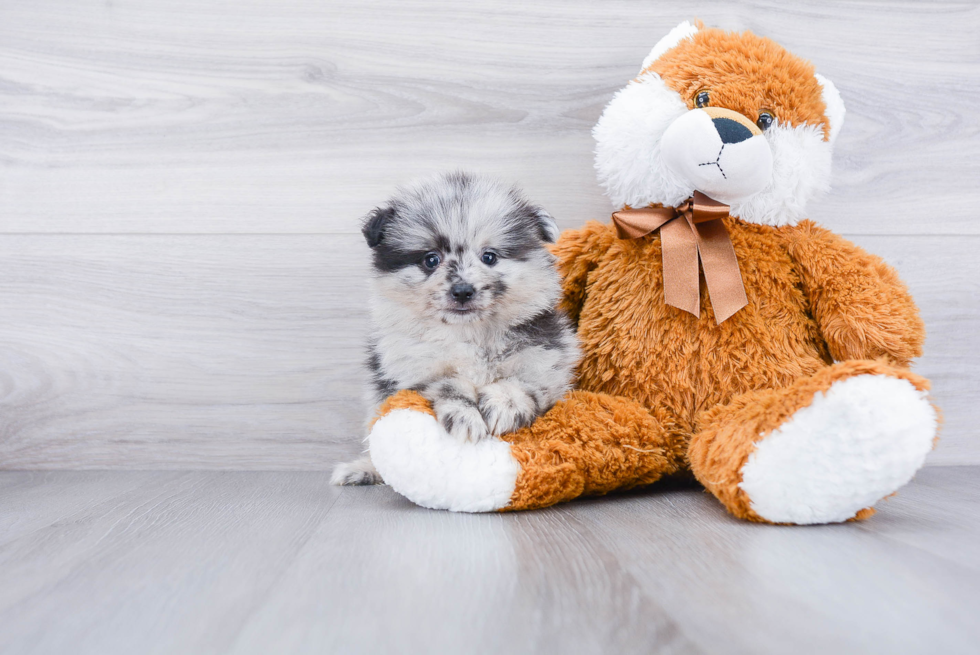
{"x":422,"y":462}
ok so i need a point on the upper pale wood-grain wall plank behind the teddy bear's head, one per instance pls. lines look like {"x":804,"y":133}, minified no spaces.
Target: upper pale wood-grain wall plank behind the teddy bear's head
{"x":299,"y":116}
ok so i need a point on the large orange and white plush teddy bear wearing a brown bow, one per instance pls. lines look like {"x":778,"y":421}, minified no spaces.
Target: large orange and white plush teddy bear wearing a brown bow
{"x":724,"y":335}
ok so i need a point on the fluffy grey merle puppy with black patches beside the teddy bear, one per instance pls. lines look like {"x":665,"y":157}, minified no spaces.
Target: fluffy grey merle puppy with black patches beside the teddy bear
{"x":464,"y":309}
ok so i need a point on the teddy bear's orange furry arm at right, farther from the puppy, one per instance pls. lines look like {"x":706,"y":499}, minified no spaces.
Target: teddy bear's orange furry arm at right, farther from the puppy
{"x":863,"y":309}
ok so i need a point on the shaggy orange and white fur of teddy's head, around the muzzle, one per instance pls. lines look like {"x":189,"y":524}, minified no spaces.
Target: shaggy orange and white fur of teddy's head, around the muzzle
{"x":745,"y":73}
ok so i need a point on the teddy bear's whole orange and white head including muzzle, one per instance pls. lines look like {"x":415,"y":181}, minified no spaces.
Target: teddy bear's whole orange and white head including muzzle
{"x":732,"y":115}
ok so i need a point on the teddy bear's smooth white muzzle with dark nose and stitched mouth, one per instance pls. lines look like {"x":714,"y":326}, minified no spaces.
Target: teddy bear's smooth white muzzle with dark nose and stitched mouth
{"x":718,"y":152}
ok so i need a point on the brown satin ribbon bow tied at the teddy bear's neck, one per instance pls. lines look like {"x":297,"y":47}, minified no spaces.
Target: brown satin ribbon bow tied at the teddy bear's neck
{"x":701,"y":235}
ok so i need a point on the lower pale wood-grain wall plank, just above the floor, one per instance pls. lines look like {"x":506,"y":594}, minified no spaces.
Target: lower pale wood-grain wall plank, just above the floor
{"x":245,"y":351}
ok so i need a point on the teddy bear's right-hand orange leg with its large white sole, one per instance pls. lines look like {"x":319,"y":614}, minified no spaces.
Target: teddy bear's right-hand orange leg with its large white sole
{"x":823,"y":450}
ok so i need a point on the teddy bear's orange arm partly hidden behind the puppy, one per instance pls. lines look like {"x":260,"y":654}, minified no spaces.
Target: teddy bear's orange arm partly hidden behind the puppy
{"x":578,"y":251}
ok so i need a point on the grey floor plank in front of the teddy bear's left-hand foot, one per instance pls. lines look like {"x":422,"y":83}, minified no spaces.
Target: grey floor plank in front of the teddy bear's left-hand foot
{"x":394,"y":577}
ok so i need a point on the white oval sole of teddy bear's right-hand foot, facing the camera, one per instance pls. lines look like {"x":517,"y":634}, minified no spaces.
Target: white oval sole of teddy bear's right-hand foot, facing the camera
{"x":856,"y":443}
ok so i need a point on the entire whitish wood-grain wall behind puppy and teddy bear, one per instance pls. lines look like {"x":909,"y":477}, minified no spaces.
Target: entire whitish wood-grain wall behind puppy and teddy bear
{"x":181,"y":275}
